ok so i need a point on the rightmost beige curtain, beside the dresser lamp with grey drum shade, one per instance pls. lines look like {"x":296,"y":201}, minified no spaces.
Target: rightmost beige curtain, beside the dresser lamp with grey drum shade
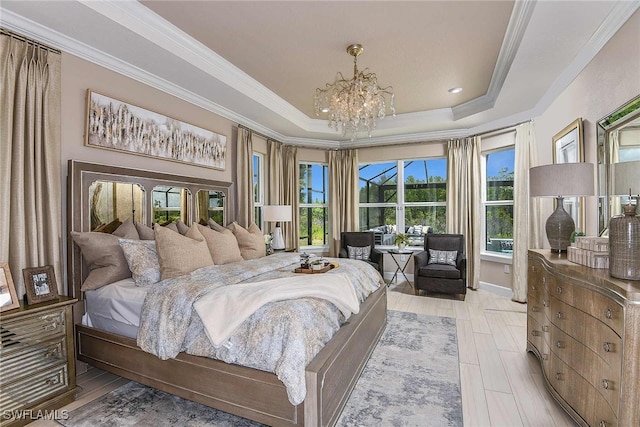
{"x":526,"y":211}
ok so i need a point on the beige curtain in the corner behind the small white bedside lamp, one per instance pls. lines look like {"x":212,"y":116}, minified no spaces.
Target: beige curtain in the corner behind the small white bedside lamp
{"x":283,"y":184}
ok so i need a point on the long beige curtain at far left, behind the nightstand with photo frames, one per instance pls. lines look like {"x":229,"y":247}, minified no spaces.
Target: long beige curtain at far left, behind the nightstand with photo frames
{"x":30,"y":165}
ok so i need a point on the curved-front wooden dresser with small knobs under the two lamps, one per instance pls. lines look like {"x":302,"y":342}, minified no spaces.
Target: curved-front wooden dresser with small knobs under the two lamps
{"x":584,"y":326}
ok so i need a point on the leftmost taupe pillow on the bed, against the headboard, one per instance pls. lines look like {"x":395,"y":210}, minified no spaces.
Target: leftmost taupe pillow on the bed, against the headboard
{"x":104,"y":257}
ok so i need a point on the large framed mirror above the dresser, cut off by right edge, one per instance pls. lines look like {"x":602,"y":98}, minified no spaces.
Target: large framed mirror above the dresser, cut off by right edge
{"x":618,"y":139}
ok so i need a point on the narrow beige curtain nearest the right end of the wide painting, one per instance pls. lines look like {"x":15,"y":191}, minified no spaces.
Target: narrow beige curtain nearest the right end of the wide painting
{"x":244,"y":179}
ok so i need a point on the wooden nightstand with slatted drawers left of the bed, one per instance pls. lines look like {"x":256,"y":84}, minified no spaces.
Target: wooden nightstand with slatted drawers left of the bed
{"x":37,"y":359}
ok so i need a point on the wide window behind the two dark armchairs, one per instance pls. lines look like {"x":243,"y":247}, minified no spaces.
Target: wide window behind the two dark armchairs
{"x":407,"y":196}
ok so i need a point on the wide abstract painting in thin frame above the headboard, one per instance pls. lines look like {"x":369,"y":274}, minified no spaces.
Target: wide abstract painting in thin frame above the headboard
{"x":118,"y":125}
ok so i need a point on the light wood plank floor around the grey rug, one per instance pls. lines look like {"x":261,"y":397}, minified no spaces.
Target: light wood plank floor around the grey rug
{"x":502,"y":385}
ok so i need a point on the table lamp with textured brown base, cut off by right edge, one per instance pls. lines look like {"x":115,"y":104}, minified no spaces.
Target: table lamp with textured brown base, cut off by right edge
{"x":624,"y":230}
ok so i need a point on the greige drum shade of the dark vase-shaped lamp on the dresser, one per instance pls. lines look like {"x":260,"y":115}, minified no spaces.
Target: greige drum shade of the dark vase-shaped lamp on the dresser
{"x":563,"y":179}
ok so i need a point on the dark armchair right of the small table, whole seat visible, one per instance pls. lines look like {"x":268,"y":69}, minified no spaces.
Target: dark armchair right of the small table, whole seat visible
{"x":444,"y":274}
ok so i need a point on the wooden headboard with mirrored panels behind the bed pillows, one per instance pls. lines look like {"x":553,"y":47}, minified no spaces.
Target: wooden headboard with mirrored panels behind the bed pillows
{"x":82,"y":175}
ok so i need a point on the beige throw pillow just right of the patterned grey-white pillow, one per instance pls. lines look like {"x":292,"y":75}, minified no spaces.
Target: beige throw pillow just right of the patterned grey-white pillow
{"x":180,"y":254}
